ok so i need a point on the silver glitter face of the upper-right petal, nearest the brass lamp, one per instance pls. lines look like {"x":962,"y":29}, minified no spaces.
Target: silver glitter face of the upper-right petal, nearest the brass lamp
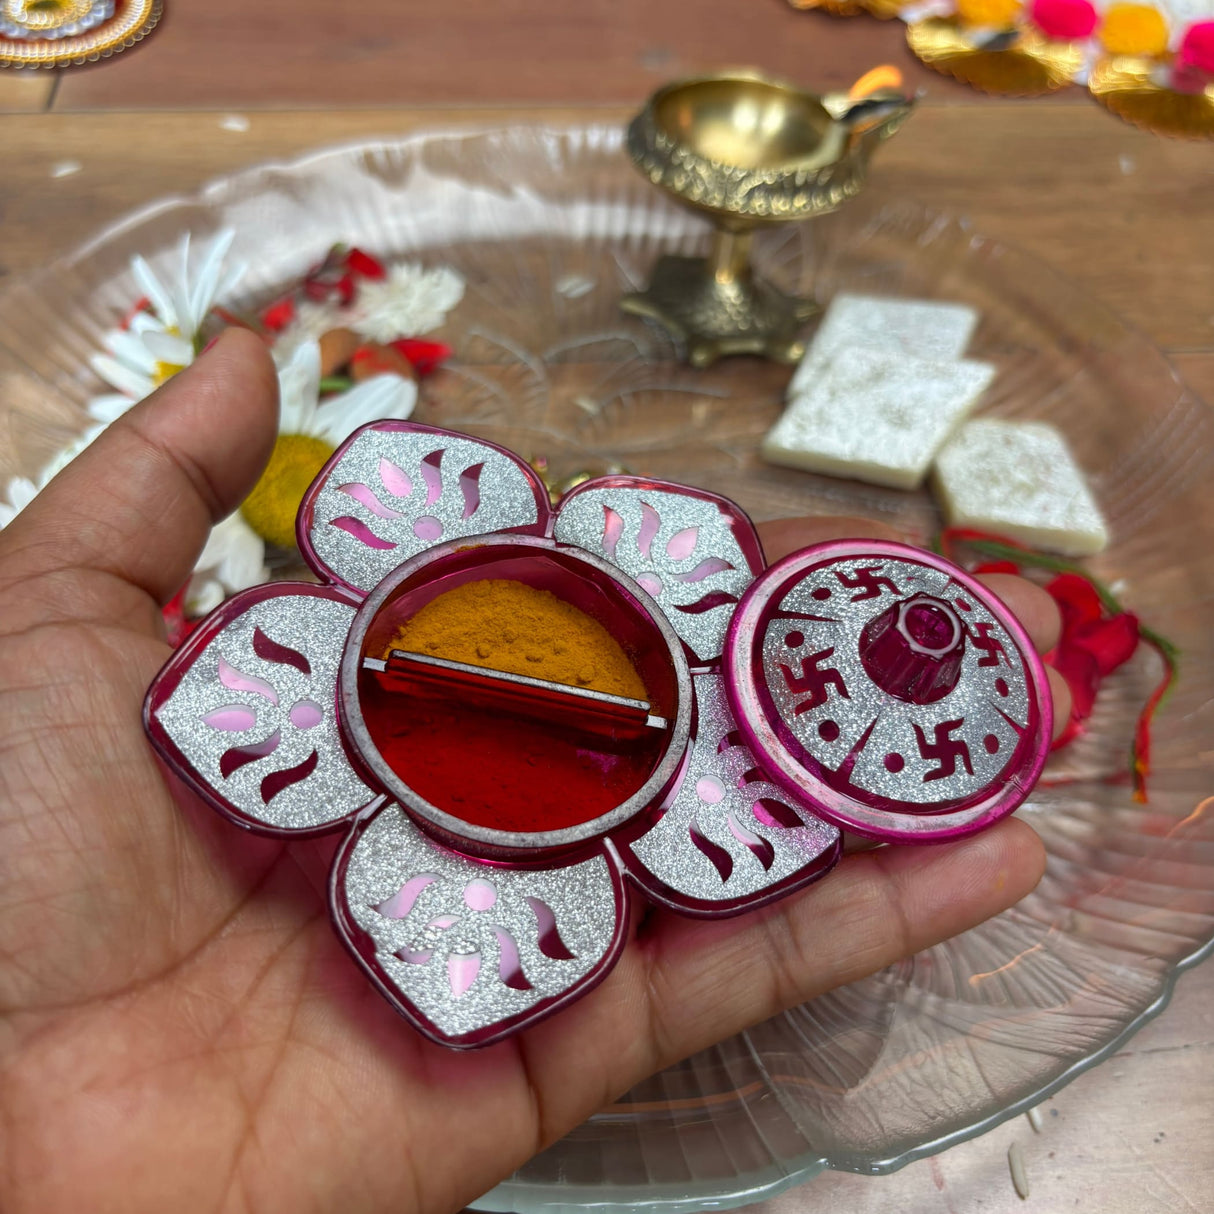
{"x":682,"y":549}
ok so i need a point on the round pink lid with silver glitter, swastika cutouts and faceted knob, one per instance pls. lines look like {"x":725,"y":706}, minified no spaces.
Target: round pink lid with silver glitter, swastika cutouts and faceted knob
{"x":888,"y":691}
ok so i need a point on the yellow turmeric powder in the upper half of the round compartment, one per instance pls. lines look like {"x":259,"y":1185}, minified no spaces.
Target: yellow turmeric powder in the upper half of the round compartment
{"x":508,"y":626}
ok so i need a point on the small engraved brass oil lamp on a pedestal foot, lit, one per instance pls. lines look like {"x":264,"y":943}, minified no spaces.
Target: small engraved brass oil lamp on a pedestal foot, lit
{"x":747,"y":151}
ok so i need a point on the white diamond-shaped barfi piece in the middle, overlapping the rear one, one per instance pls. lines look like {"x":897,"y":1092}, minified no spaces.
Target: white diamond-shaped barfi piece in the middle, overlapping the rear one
{"x":876,"y":416}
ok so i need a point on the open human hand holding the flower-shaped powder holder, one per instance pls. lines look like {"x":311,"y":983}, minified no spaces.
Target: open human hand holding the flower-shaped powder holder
{"x":179,"y":1025}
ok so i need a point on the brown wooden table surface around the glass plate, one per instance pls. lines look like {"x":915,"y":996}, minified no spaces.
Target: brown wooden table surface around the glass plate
{"x":1126,"y":214}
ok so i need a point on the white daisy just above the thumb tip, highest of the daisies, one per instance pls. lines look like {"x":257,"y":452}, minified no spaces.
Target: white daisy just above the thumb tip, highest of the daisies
{"x":162,"y":342}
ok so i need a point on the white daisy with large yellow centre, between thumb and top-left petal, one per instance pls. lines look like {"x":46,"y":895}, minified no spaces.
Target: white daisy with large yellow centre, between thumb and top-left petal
{"x":309,"y":433}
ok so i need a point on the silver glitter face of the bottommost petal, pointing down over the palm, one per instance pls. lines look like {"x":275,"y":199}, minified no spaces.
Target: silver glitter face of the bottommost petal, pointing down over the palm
{"x":462,"y":918}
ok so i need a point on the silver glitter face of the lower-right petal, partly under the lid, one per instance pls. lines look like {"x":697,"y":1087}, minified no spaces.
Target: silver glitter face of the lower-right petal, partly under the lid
{"x":717,"y":802}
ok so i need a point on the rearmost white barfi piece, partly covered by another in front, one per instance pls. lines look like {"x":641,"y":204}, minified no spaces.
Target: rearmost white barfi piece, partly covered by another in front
{"x":921,"y":328}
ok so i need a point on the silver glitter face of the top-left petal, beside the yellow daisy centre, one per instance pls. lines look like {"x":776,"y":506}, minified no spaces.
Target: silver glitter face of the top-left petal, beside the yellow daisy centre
{"x":395,"y":493}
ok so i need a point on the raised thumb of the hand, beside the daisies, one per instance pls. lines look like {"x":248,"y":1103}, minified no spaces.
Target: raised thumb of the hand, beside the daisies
{"x":117,"y":534}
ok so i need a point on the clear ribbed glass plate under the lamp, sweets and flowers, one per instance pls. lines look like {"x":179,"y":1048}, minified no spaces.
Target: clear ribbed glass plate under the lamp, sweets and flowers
{"x":549,"y":228}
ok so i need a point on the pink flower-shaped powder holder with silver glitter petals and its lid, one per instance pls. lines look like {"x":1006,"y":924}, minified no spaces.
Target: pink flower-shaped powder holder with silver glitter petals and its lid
{"x":860,"y":685}
